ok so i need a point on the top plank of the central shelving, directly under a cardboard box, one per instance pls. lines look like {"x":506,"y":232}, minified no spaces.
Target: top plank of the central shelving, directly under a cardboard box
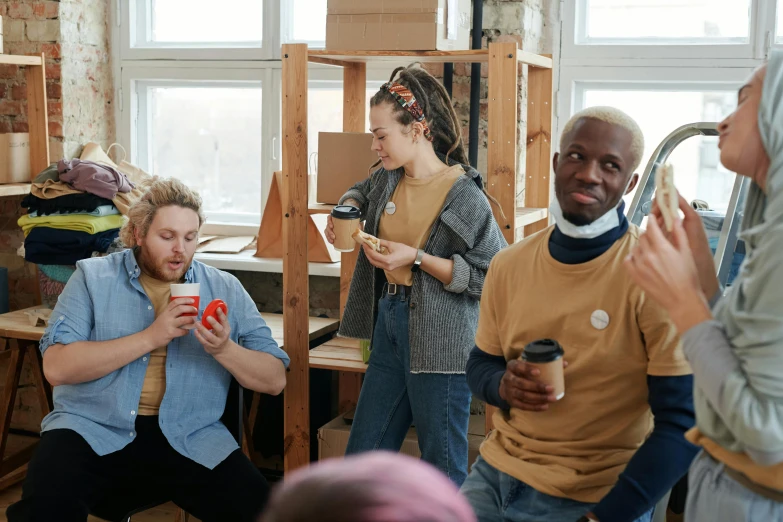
{"x":327,"y":56}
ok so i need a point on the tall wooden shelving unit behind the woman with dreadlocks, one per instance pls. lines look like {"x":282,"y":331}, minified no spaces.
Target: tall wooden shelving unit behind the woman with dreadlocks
{"x":343,"y":355}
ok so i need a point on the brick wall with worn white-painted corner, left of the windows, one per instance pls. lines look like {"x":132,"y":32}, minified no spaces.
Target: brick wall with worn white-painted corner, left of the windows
{"x":74,"y":35}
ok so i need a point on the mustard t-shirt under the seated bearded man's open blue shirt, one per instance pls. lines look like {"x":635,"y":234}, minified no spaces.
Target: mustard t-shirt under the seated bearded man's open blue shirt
{"x":155,"y":379}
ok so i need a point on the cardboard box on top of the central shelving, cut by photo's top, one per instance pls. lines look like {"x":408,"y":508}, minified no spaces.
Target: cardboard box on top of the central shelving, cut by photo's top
{"x":408,"y":25}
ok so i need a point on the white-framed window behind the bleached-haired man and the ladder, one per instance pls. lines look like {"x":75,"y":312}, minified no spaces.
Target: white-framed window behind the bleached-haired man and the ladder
{"x":666,"y":64}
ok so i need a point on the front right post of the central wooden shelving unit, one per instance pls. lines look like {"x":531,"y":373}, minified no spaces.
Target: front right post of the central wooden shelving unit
{"x":502,"y":133}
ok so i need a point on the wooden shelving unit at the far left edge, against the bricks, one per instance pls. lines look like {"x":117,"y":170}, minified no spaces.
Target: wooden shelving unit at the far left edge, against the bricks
{"x":37,"y":118}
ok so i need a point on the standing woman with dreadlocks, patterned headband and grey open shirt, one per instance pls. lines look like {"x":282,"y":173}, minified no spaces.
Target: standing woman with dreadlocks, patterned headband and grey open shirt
{"x":418,"y":301}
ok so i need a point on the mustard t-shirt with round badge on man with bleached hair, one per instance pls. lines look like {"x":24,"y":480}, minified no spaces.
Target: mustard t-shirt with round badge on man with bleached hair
{"x":577,"y":448}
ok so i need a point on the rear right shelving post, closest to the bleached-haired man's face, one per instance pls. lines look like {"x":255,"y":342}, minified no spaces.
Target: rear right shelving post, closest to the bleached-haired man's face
{"x":539,"y":143}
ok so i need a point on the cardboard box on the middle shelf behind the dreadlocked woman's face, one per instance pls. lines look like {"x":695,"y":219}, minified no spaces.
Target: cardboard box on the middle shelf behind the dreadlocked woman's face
{"x":344,"y":159}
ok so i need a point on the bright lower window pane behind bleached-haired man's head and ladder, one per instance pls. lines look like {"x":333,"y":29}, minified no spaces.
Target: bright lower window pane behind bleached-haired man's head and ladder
{"x":697,"y":169}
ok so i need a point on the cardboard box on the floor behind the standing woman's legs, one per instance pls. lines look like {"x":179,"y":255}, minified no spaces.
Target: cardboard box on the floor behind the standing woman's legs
{"x":333,"y":439}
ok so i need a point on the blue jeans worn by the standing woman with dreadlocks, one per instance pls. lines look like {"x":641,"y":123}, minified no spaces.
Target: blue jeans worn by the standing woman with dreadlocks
{"x":392,"y":397}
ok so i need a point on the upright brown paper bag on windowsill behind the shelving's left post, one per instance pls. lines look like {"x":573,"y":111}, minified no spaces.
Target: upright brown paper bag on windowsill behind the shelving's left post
{"x":270,"y":234}
